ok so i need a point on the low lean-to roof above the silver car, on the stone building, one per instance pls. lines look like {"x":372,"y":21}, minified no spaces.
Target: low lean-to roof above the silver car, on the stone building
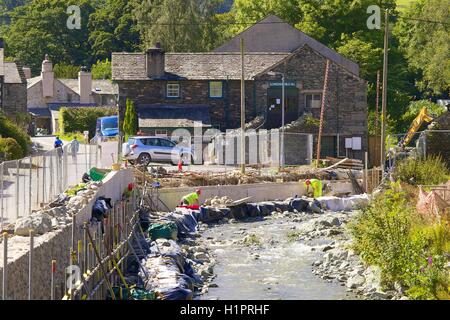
{"x":173,"y":116}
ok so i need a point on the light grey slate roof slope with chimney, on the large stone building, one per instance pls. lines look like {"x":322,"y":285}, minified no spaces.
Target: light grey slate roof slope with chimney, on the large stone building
{"x":195,"y":66}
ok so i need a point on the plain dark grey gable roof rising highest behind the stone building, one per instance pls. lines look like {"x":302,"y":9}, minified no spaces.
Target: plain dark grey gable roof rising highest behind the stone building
{"x":272,"y":34}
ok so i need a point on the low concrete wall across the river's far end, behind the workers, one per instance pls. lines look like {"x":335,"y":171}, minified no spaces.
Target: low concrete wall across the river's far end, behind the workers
{"x":170,"y":197}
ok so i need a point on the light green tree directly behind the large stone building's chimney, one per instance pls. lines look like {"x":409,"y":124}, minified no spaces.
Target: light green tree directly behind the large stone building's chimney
{"x":179,"y":25}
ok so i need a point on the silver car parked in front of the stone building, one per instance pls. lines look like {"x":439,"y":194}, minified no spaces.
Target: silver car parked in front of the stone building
{"x":145,"y":149}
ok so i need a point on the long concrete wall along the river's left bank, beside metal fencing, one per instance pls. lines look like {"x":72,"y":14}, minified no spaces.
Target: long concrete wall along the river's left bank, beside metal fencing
{"x":53,"y":245}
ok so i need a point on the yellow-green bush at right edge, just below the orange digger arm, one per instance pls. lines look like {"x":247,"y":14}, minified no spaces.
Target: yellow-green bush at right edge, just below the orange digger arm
{"x":429,"y":171}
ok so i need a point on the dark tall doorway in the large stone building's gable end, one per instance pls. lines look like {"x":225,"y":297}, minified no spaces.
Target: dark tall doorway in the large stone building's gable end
{"x":274,"y":106}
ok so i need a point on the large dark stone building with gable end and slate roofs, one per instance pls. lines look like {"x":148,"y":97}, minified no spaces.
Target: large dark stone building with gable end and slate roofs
{"x":165,"y":86}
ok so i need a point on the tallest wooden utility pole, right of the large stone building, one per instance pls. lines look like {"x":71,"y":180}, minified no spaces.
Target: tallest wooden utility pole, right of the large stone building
{"x":384,"y":95}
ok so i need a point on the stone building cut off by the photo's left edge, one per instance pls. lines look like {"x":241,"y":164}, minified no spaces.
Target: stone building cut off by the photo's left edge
{"x":13,"y":87}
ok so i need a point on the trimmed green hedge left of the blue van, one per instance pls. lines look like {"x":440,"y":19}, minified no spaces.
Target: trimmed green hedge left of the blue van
{"x":73,"y":120}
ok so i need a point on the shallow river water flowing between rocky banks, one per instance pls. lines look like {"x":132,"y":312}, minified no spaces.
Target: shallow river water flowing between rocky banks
{"x":276,"y":269}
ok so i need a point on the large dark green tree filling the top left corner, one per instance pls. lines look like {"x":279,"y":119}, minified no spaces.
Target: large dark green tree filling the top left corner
{"x":40,"y":28}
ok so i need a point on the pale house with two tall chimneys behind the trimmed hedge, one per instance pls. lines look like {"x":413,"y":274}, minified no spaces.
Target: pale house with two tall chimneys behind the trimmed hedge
{"x":47,"y":94}
